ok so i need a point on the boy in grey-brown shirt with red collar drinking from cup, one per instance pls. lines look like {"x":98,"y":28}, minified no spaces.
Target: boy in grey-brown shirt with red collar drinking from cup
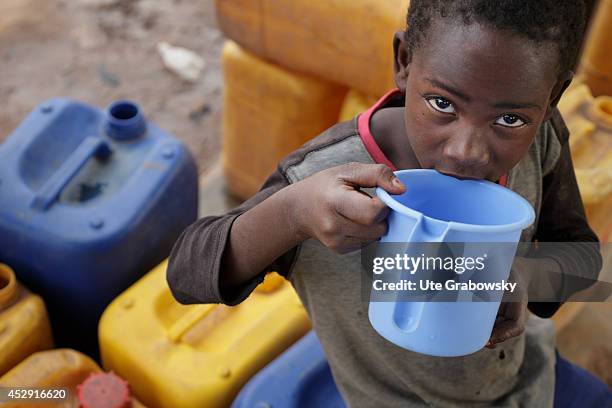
{"x":478,"y":82}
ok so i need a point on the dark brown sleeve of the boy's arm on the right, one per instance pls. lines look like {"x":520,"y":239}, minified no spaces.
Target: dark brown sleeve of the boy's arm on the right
{"x":563,"y":221}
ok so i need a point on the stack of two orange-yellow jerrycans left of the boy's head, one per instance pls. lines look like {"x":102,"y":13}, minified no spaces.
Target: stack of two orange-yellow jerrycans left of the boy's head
{"x":289,"y":84}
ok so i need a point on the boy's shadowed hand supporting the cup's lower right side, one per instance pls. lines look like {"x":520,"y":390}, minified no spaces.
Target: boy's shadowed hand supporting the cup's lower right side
{"x":512,"y":316}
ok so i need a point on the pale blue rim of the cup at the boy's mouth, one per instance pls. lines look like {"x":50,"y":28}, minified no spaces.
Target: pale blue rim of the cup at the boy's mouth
{"x":520,"y":225}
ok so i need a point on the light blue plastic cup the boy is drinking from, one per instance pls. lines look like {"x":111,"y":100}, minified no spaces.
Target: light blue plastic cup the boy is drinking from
{"x":439,"y":208}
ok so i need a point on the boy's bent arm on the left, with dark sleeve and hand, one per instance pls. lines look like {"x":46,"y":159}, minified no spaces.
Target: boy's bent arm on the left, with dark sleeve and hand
{"x":222,"y":259}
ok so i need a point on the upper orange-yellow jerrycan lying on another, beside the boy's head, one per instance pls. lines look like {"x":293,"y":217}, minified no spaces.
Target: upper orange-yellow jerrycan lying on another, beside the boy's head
{"x":347,"y":42}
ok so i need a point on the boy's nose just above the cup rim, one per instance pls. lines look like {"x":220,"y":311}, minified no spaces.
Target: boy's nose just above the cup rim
{"x":468,"y":154}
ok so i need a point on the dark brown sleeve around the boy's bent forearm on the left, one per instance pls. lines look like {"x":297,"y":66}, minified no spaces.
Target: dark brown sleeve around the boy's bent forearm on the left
{"x":198,"y":253}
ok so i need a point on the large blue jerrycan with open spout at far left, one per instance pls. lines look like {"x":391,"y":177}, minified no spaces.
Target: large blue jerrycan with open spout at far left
{"x":90,"y":200}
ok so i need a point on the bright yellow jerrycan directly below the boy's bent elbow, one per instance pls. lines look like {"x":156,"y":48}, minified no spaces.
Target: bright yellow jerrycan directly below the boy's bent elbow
{"x":180,"y":356}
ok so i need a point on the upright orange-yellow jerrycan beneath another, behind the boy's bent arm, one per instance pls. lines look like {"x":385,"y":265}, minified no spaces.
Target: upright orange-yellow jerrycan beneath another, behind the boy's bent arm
{"x":268,"y":112}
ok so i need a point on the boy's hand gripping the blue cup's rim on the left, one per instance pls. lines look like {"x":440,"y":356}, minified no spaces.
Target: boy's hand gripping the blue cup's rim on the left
{"x":329,"y":206}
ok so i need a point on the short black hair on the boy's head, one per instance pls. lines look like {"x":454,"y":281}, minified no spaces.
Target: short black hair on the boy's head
{"x":560,"y":22}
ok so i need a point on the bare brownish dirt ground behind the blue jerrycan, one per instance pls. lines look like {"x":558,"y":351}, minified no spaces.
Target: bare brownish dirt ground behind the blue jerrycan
{"x":97,"y":51}
